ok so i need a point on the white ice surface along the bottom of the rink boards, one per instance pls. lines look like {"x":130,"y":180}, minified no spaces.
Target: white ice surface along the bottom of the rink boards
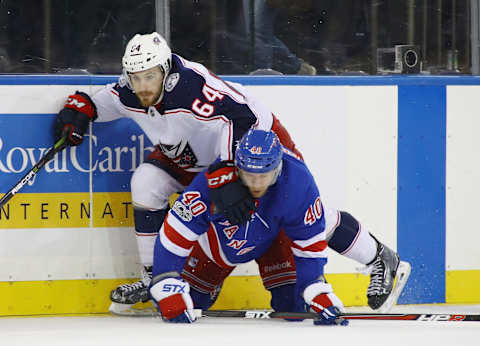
{"x":108,"y":330}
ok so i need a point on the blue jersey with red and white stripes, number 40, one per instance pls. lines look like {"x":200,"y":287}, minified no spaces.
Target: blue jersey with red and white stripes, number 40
{"x":292,"y":203}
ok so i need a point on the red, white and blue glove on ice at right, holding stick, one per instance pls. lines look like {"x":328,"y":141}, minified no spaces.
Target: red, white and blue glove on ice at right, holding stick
{"x":325,"y":303}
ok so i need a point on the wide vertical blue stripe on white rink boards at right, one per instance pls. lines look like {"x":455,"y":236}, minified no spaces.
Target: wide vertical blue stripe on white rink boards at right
{"x":421,"y":191}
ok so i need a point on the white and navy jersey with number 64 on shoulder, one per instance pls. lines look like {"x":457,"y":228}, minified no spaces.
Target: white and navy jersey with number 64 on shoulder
{"x":200,"y":118}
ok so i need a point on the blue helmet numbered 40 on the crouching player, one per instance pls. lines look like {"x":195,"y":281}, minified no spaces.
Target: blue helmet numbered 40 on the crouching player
{"x":259,"y":152}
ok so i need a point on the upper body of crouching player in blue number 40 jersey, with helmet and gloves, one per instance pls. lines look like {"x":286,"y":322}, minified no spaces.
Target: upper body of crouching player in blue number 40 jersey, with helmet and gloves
{"x":286,"y":197}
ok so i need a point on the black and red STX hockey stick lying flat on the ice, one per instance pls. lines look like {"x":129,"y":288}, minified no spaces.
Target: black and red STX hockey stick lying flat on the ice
{"x":265,"y":314}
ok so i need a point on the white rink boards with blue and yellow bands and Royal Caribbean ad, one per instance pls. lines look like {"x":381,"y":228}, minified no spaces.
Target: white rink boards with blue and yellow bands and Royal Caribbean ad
{"x":399,"y":153}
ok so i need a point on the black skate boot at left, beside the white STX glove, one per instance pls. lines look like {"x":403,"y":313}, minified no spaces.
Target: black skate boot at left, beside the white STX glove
{"x":135,"y":292}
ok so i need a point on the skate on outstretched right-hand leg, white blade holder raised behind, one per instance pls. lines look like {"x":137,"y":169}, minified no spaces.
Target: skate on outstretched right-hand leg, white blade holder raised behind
{"x":388,"y":276}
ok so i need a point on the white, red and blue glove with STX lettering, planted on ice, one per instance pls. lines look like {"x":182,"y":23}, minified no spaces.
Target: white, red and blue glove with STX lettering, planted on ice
{"x":172,"y":297}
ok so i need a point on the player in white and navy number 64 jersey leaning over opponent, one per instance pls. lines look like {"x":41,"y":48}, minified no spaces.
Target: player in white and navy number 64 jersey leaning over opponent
{"x":192,"y":117}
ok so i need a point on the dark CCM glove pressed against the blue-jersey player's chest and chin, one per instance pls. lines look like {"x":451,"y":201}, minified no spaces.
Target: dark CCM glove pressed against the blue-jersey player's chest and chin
{"x":228,"y":194}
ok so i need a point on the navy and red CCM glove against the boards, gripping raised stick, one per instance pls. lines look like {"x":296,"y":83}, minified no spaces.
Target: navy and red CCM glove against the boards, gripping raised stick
{"x":73,"y":119}
